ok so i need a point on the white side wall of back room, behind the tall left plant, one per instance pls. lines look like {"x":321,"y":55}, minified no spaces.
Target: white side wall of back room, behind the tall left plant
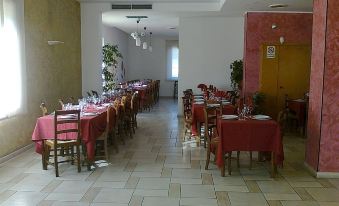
{"x":115,"y":36}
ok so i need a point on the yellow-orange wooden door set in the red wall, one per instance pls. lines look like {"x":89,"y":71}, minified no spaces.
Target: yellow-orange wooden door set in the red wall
{"x":287,"y":73}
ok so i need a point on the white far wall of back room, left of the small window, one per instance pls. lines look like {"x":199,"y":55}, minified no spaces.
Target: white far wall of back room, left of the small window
{"x":143,"y":64}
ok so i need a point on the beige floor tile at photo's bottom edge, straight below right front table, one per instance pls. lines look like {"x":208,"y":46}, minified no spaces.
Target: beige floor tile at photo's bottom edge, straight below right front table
{"x":246,"y":199}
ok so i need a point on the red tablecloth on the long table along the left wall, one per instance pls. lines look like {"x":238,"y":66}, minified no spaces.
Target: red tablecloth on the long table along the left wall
{"x":91,"y":128}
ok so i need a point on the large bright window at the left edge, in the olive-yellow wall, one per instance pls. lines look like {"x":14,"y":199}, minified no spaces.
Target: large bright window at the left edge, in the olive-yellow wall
{"x":11,"y":57}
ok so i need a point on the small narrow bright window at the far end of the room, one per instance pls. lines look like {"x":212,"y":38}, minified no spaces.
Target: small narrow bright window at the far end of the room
{"x":172,"y":60}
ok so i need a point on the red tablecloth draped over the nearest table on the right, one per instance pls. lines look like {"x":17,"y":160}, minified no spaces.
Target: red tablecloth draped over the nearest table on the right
{"x":250,"y":135}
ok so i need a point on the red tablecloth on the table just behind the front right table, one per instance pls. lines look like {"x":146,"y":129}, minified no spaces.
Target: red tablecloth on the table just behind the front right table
{"x":198,"y":115}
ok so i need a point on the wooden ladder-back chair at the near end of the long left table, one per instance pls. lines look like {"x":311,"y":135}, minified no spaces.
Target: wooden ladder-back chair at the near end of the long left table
{"x":61,"y":118}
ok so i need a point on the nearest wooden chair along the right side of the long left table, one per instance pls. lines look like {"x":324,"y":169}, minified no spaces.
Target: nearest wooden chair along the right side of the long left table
{"x":101,"y":149}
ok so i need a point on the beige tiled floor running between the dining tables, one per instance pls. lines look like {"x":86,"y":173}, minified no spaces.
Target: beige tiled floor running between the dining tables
{"x":156,"y":168}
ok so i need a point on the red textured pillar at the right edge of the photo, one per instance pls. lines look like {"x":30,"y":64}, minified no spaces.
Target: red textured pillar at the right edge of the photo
{"x":322,"y":148}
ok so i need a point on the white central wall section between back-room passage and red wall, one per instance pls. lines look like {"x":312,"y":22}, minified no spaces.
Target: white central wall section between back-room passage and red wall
{"x":208,"y":45}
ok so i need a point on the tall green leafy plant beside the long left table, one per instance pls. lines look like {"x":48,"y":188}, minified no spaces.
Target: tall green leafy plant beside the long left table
{"x":111,"y":55}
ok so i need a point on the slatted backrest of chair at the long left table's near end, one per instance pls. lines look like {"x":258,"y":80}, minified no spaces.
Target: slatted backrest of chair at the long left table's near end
{"x":67,"y":125}
